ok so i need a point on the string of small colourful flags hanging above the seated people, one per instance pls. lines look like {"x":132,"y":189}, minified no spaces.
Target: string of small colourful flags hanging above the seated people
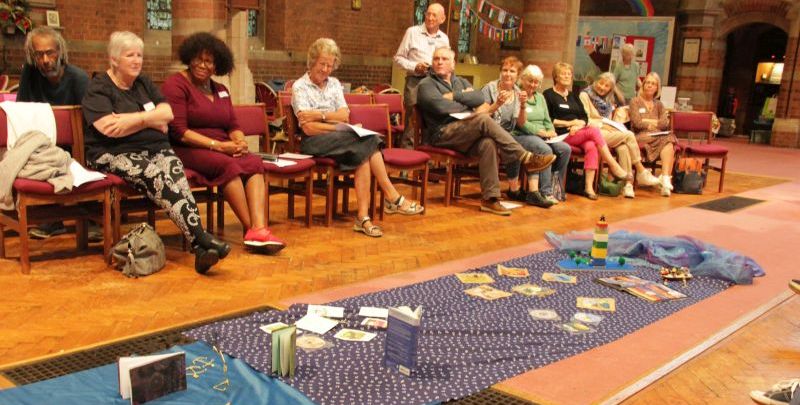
{"x":484,"y":17}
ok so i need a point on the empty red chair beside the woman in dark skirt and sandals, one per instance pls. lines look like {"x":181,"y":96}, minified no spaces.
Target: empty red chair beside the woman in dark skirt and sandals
{"x":376,"y":117}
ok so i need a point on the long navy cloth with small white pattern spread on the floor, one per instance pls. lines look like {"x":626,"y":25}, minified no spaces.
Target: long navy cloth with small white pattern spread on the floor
{"x":466,"y":344}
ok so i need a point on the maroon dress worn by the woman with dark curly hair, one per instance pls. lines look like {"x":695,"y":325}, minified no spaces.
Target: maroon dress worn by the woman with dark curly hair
{"x":214,"y":119}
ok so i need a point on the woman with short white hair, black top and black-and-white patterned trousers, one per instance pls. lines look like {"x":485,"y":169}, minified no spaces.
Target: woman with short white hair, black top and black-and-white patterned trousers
{"x":126,"y":135}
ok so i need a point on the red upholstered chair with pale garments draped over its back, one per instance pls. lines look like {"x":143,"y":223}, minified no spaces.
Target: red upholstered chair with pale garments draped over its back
{"x":37,"y":203}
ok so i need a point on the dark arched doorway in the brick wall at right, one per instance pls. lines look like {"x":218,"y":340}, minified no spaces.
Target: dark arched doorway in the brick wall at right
{"x":754,"y":57}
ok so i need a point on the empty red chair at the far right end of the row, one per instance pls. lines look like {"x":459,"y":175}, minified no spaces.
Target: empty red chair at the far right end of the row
{"x":700,"y":122}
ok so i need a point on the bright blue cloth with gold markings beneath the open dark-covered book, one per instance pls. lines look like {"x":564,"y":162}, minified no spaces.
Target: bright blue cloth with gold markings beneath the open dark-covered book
{"x":100,"y":386}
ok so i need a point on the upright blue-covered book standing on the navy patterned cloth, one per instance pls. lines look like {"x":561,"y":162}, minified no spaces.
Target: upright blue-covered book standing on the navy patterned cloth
{"x":402,"y":339}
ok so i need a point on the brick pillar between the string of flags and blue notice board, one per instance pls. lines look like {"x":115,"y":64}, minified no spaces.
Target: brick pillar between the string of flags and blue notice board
{"x":549,"y":32}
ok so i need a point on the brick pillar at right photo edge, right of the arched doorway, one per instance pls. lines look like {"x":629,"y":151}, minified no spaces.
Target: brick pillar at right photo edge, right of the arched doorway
{"x":786,"y":127}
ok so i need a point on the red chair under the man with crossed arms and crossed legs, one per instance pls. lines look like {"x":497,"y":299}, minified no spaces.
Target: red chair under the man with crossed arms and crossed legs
{"x":455,"y":165}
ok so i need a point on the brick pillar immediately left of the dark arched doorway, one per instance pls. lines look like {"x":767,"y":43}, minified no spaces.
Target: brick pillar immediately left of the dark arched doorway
{"x":700,"y":82}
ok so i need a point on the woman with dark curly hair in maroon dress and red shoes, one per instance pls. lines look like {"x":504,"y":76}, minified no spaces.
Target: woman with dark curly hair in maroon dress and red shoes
{"x":207,"y":138}
